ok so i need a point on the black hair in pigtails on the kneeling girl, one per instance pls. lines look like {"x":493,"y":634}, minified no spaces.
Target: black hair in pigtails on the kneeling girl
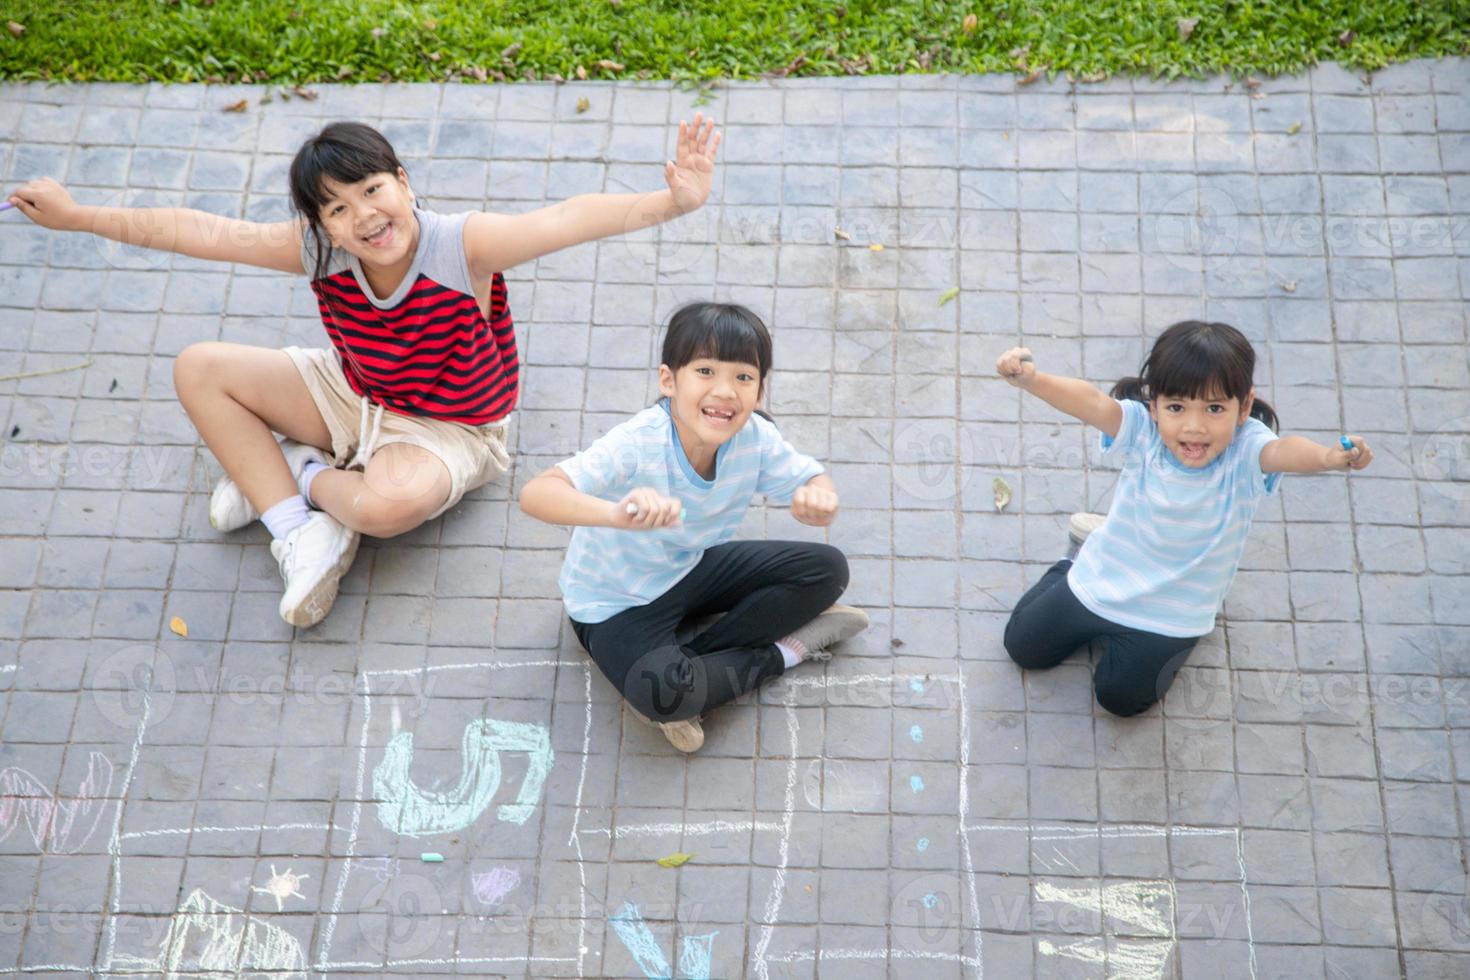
{"x":1194,"y":359}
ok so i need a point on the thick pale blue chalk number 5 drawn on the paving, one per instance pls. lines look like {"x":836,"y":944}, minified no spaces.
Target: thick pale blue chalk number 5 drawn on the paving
{"x":414,"y":813}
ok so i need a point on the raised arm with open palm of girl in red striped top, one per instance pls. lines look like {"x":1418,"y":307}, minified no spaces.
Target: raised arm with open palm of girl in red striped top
{"x":496,"y":243}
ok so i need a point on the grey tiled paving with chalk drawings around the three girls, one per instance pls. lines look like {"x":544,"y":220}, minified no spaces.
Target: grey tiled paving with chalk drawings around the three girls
{"x":915,"y":809}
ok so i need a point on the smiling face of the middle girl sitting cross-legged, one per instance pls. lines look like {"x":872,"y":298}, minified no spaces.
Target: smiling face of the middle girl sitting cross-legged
{"x":711,"y":400}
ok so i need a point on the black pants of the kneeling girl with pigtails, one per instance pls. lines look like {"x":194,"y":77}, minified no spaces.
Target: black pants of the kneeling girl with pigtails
{"x":1136,"y":668}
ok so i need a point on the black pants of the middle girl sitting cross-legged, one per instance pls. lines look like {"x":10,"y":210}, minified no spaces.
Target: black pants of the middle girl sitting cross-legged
{"x":765,"y":588}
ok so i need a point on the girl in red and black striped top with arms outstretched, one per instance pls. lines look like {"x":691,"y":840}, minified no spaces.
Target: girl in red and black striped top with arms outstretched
{"x":408,"y":411}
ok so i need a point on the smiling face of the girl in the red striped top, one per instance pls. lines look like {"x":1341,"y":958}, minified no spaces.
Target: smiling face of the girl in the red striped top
{"x":371,"y":218}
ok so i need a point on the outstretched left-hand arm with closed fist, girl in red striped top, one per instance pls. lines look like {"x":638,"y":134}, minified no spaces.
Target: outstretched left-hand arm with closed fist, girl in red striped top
{"x":186,"y":231}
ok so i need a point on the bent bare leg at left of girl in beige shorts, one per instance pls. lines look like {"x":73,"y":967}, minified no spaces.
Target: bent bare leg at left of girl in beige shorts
{"x":237,"y":396}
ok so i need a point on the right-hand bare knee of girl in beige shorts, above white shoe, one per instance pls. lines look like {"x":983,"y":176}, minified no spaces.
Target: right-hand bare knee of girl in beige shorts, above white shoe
{"x":401,"y":489}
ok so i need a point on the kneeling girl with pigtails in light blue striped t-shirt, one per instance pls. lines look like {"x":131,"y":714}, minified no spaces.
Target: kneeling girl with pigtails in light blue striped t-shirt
{"x":1200,"y":453}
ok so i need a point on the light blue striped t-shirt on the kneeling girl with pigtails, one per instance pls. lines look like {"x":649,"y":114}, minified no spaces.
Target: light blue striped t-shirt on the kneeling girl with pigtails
{"x":1174,"y":538}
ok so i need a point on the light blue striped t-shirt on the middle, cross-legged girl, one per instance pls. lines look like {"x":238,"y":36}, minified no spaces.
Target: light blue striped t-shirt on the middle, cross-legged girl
{"x":609,"y":571}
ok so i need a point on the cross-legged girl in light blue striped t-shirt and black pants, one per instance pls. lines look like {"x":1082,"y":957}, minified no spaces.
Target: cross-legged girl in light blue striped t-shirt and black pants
{"x":656,"y":503}
